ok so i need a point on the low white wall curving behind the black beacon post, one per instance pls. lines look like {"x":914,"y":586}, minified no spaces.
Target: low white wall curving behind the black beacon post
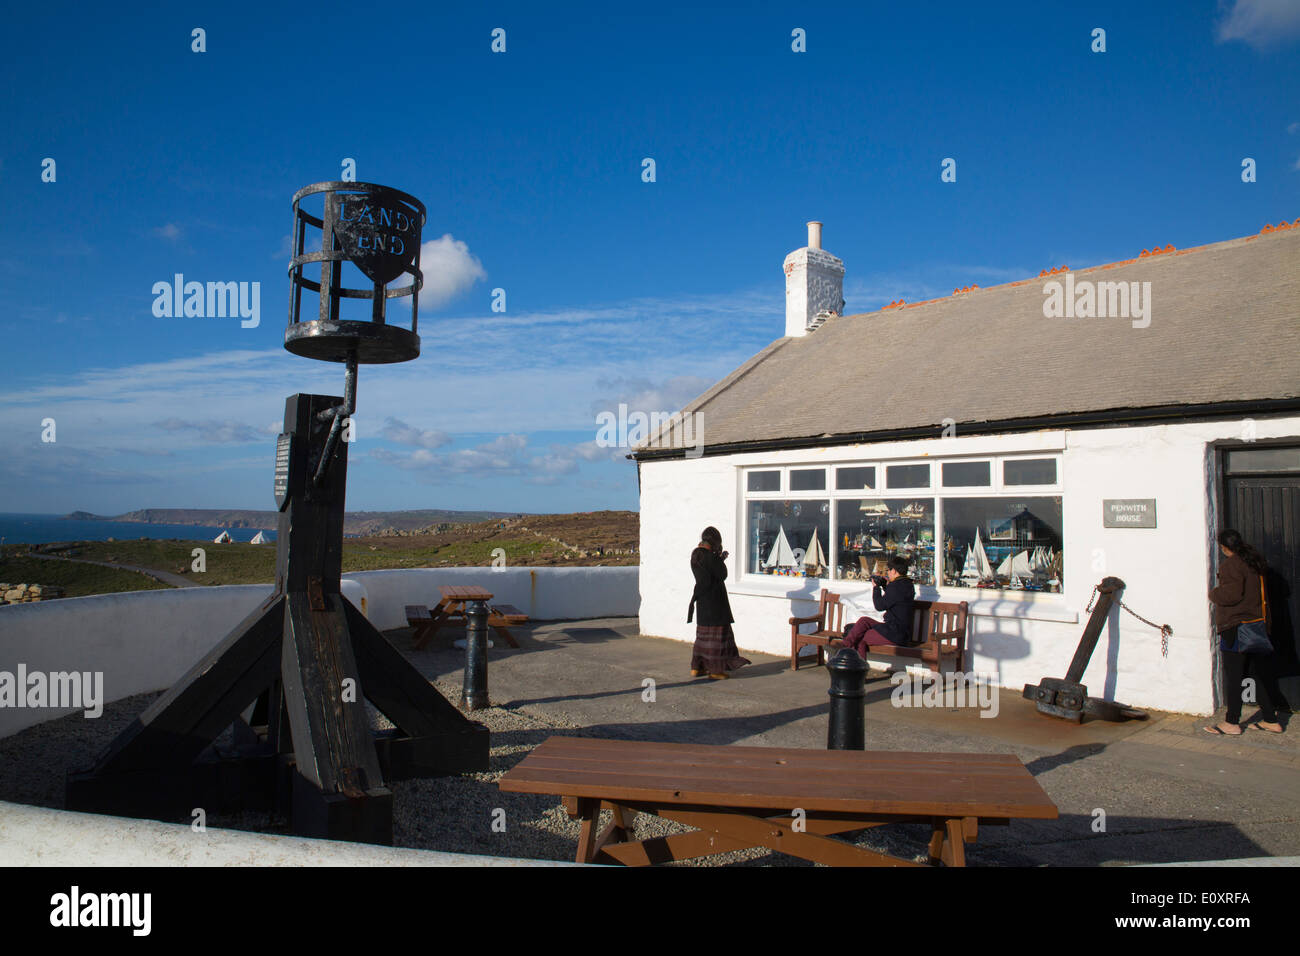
{"x":146,"y":641}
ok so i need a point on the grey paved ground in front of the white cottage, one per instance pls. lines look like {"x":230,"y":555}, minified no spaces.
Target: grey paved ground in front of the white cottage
{"x":1168,"y":791}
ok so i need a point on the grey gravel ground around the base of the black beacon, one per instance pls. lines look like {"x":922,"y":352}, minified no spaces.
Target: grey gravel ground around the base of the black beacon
{"x":450,"y":814}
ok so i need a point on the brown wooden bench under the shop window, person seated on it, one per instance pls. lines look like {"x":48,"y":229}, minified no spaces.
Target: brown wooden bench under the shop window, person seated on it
{"x":941,"y":626}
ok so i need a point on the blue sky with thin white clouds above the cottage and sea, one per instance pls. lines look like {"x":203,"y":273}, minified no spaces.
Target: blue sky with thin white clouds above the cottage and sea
{"x":530,"y":163}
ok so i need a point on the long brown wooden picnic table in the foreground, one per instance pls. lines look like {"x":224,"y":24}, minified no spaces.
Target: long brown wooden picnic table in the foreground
{"x":753,"y":797}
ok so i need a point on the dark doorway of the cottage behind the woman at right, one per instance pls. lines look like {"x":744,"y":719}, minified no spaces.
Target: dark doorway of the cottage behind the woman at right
{"x":1262,"y":500}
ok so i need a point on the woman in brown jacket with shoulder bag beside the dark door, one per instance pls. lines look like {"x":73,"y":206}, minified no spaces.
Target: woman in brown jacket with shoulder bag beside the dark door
{"x":1238,"y":599}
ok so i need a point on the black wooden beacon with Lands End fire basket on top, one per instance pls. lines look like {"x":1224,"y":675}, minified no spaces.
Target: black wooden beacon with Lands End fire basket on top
{"x":292,"y":681}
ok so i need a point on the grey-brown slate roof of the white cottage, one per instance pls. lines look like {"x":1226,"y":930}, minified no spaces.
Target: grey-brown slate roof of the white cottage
{"x":1225,"y":328}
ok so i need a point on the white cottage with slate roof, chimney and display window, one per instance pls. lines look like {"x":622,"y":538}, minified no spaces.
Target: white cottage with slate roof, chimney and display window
{"x":1019,"y":444}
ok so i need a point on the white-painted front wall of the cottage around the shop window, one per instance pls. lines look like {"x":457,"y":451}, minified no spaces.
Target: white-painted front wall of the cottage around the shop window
{"x":1017,"y":639}
